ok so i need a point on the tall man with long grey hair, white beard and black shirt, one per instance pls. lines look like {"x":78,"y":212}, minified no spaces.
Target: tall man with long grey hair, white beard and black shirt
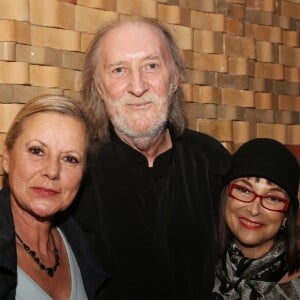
{"x":148,"y":202}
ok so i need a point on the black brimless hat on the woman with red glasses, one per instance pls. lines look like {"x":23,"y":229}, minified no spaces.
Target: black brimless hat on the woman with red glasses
{"x":269,"y":159}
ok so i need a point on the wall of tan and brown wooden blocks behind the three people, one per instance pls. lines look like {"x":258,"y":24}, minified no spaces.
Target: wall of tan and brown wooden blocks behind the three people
{"x":242,"y":59}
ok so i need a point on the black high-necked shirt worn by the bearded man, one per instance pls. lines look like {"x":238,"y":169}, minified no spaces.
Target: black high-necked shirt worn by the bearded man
{"x":154,"y":228}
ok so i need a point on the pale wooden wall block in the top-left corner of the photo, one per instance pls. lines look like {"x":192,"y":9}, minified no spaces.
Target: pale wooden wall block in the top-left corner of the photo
{"x":14,"y":10}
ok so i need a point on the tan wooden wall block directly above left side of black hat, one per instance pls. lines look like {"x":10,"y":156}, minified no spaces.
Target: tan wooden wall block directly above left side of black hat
{"x":243,"y":131}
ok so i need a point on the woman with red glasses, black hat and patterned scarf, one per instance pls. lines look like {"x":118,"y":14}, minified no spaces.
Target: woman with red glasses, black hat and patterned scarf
{"x":259,"y":258}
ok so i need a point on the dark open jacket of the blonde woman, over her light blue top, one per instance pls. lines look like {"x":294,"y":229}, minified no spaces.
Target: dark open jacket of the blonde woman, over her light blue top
{"x":91,"y":270}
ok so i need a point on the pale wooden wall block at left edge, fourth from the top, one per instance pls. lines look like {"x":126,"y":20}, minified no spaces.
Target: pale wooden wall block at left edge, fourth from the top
{"x":14,"y":72}
